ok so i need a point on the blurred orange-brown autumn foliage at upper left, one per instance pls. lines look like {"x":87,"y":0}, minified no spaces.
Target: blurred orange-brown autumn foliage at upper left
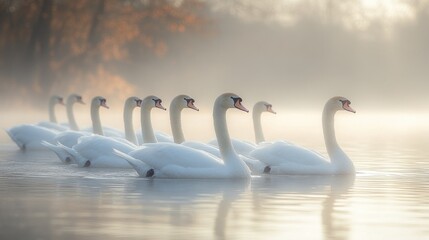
{"x":49,"y":46}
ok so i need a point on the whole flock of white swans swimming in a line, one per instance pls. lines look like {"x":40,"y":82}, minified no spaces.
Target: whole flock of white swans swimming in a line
{"x":158,"y":155}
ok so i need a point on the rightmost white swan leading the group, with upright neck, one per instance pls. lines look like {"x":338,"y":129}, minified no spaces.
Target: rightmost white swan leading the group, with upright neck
{"x":285,"y":158}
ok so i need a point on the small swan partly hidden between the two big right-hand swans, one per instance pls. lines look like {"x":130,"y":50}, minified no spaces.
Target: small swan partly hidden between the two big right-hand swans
{"x":245,"y":147}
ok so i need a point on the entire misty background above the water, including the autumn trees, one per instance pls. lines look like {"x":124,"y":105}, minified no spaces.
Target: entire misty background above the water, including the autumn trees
{"x":293,"y":54}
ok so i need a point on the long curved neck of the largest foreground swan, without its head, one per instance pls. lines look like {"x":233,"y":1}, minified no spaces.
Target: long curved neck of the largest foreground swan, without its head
{"x":222,"y":134}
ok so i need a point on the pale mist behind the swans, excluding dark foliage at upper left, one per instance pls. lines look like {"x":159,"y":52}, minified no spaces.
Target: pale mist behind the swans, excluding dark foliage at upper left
{"x":295,"y":55}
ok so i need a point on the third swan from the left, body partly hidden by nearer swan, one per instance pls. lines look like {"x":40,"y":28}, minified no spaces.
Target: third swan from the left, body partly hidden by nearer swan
{"x":70,"y":138}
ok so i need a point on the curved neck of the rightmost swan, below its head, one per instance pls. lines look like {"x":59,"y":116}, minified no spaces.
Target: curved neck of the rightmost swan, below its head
{"x":338,"y":157}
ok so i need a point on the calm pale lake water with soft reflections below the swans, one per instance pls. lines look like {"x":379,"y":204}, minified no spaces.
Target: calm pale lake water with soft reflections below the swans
{"x":388,"y":198}
